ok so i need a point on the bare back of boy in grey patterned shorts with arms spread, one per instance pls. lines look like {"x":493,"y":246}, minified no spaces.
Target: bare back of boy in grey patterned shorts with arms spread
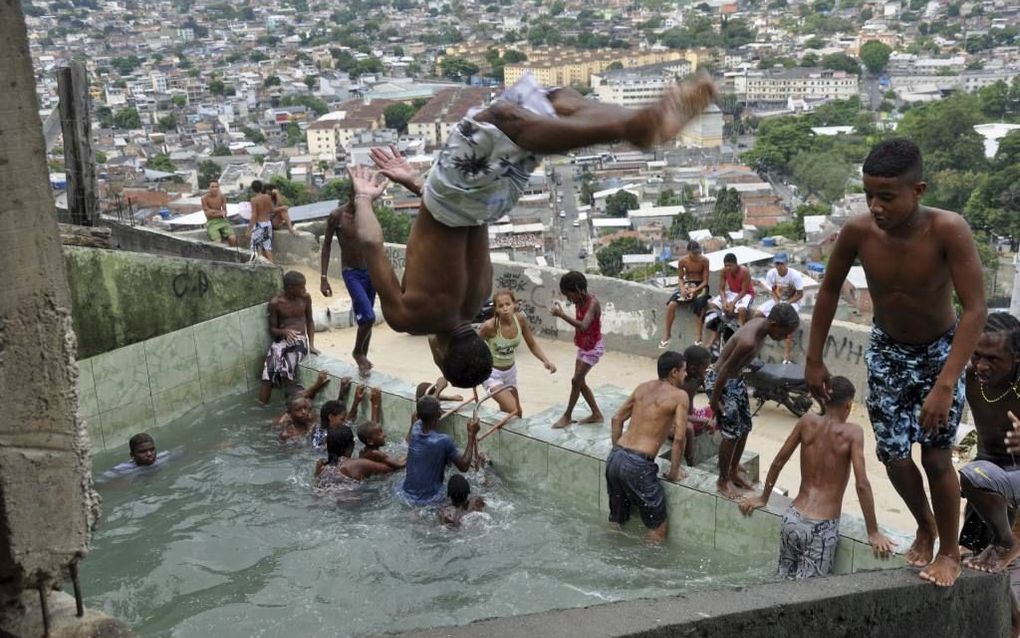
{"x":827,"y":449}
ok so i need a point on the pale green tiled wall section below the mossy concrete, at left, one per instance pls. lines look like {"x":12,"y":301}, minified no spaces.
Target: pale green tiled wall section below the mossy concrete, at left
{"x":147,"y":384}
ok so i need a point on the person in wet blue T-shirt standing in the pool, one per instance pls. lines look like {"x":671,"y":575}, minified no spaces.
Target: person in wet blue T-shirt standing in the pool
{"x":429,"y":454}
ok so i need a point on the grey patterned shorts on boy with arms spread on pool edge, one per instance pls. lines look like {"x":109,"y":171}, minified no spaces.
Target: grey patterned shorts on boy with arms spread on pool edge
{"x":807,"y":548}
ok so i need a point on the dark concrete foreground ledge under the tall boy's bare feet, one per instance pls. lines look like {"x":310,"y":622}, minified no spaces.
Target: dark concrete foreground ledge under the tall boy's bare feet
{"x":890,"y":603}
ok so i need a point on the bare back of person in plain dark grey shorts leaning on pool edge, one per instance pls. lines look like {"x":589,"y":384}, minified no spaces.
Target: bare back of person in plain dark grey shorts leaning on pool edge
{"x":655,"y":407}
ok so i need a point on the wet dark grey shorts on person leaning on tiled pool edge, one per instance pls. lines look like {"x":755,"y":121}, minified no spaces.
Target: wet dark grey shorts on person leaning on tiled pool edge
{"x":633,"y":479}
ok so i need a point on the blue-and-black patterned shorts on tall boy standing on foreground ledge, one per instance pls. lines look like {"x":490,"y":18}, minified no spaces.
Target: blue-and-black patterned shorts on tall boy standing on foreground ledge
{"x":900,"y":377}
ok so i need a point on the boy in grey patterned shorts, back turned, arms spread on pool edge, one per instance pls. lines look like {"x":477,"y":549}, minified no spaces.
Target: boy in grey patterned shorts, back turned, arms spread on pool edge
{"x":830,"y":448}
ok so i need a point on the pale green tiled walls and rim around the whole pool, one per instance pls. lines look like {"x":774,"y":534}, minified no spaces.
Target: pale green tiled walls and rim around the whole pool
{"x":148,"y":384}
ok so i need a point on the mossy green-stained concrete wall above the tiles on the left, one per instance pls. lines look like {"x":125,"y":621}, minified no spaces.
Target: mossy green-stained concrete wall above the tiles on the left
{"x":122,"y":299}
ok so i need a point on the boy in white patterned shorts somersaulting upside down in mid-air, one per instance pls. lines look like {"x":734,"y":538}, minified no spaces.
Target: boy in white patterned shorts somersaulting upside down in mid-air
{"x":482,"y":172}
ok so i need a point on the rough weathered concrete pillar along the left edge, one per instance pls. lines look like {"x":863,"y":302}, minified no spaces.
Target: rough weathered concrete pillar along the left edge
{"x":47,"y":503}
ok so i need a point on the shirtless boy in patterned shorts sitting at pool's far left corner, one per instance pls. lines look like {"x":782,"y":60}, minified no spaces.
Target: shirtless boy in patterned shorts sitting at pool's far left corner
{"x":293,"y":332}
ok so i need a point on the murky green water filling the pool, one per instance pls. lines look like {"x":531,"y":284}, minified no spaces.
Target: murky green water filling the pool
{"x":228,"y":538}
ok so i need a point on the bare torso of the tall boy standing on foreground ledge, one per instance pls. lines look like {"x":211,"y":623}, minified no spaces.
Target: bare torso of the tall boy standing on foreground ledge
{"x":909,"y":276}
